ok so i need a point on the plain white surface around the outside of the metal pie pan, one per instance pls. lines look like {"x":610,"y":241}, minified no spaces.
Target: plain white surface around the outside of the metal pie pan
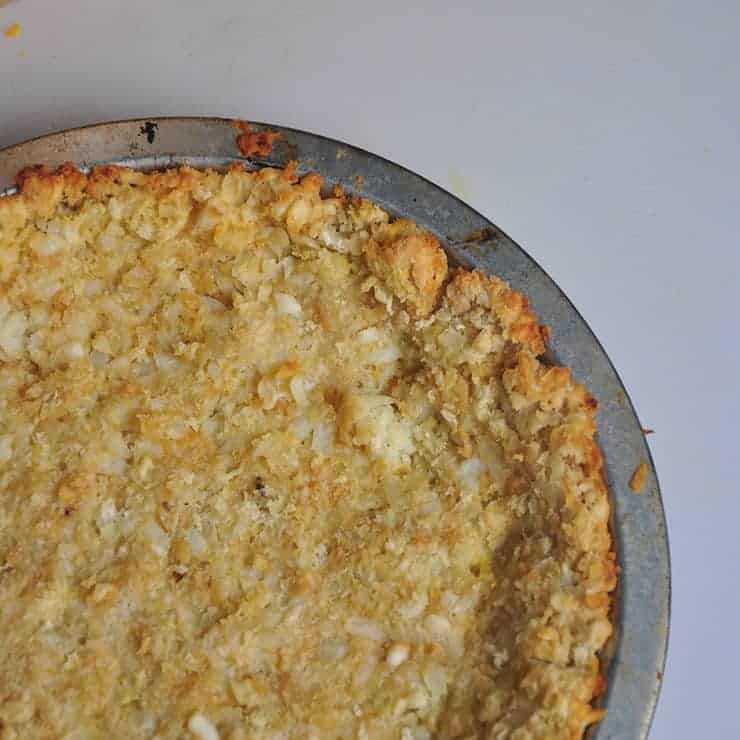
{"x":603,"y":136}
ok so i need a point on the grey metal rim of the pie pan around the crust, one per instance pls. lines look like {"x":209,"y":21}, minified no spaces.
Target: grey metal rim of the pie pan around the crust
{"x":634,"y":659}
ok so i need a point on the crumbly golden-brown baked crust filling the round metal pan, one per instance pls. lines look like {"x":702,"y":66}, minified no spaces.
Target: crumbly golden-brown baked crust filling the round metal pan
{"x":270,"y":469}
